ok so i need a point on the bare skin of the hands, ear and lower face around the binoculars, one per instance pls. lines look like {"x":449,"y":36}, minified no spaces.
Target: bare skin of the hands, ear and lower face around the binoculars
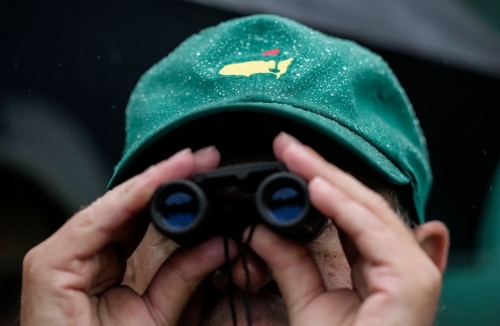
{"x":367,"y":267}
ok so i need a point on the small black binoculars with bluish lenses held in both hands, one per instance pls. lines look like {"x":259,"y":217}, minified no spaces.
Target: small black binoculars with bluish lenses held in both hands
{"x":191,"y":211}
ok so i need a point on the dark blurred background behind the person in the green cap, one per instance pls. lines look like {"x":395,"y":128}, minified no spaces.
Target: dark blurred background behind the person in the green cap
{"x":68,"y":67}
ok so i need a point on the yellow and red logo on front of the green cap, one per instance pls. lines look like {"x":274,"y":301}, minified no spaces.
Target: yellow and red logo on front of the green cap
{"x":249,"y":68}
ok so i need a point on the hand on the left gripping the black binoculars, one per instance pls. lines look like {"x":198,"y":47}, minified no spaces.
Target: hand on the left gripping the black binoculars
{"x":73,"y":278}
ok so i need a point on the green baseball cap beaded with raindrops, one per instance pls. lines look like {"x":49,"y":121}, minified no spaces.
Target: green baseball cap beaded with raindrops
{"x":274,"y":66}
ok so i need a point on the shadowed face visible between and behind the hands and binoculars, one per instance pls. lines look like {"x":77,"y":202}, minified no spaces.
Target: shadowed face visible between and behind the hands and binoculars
{"x":210,"y":303}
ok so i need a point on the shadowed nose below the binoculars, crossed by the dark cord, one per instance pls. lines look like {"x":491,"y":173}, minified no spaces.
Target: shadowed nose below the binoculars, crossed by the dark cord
{"x":258,"y":272}
